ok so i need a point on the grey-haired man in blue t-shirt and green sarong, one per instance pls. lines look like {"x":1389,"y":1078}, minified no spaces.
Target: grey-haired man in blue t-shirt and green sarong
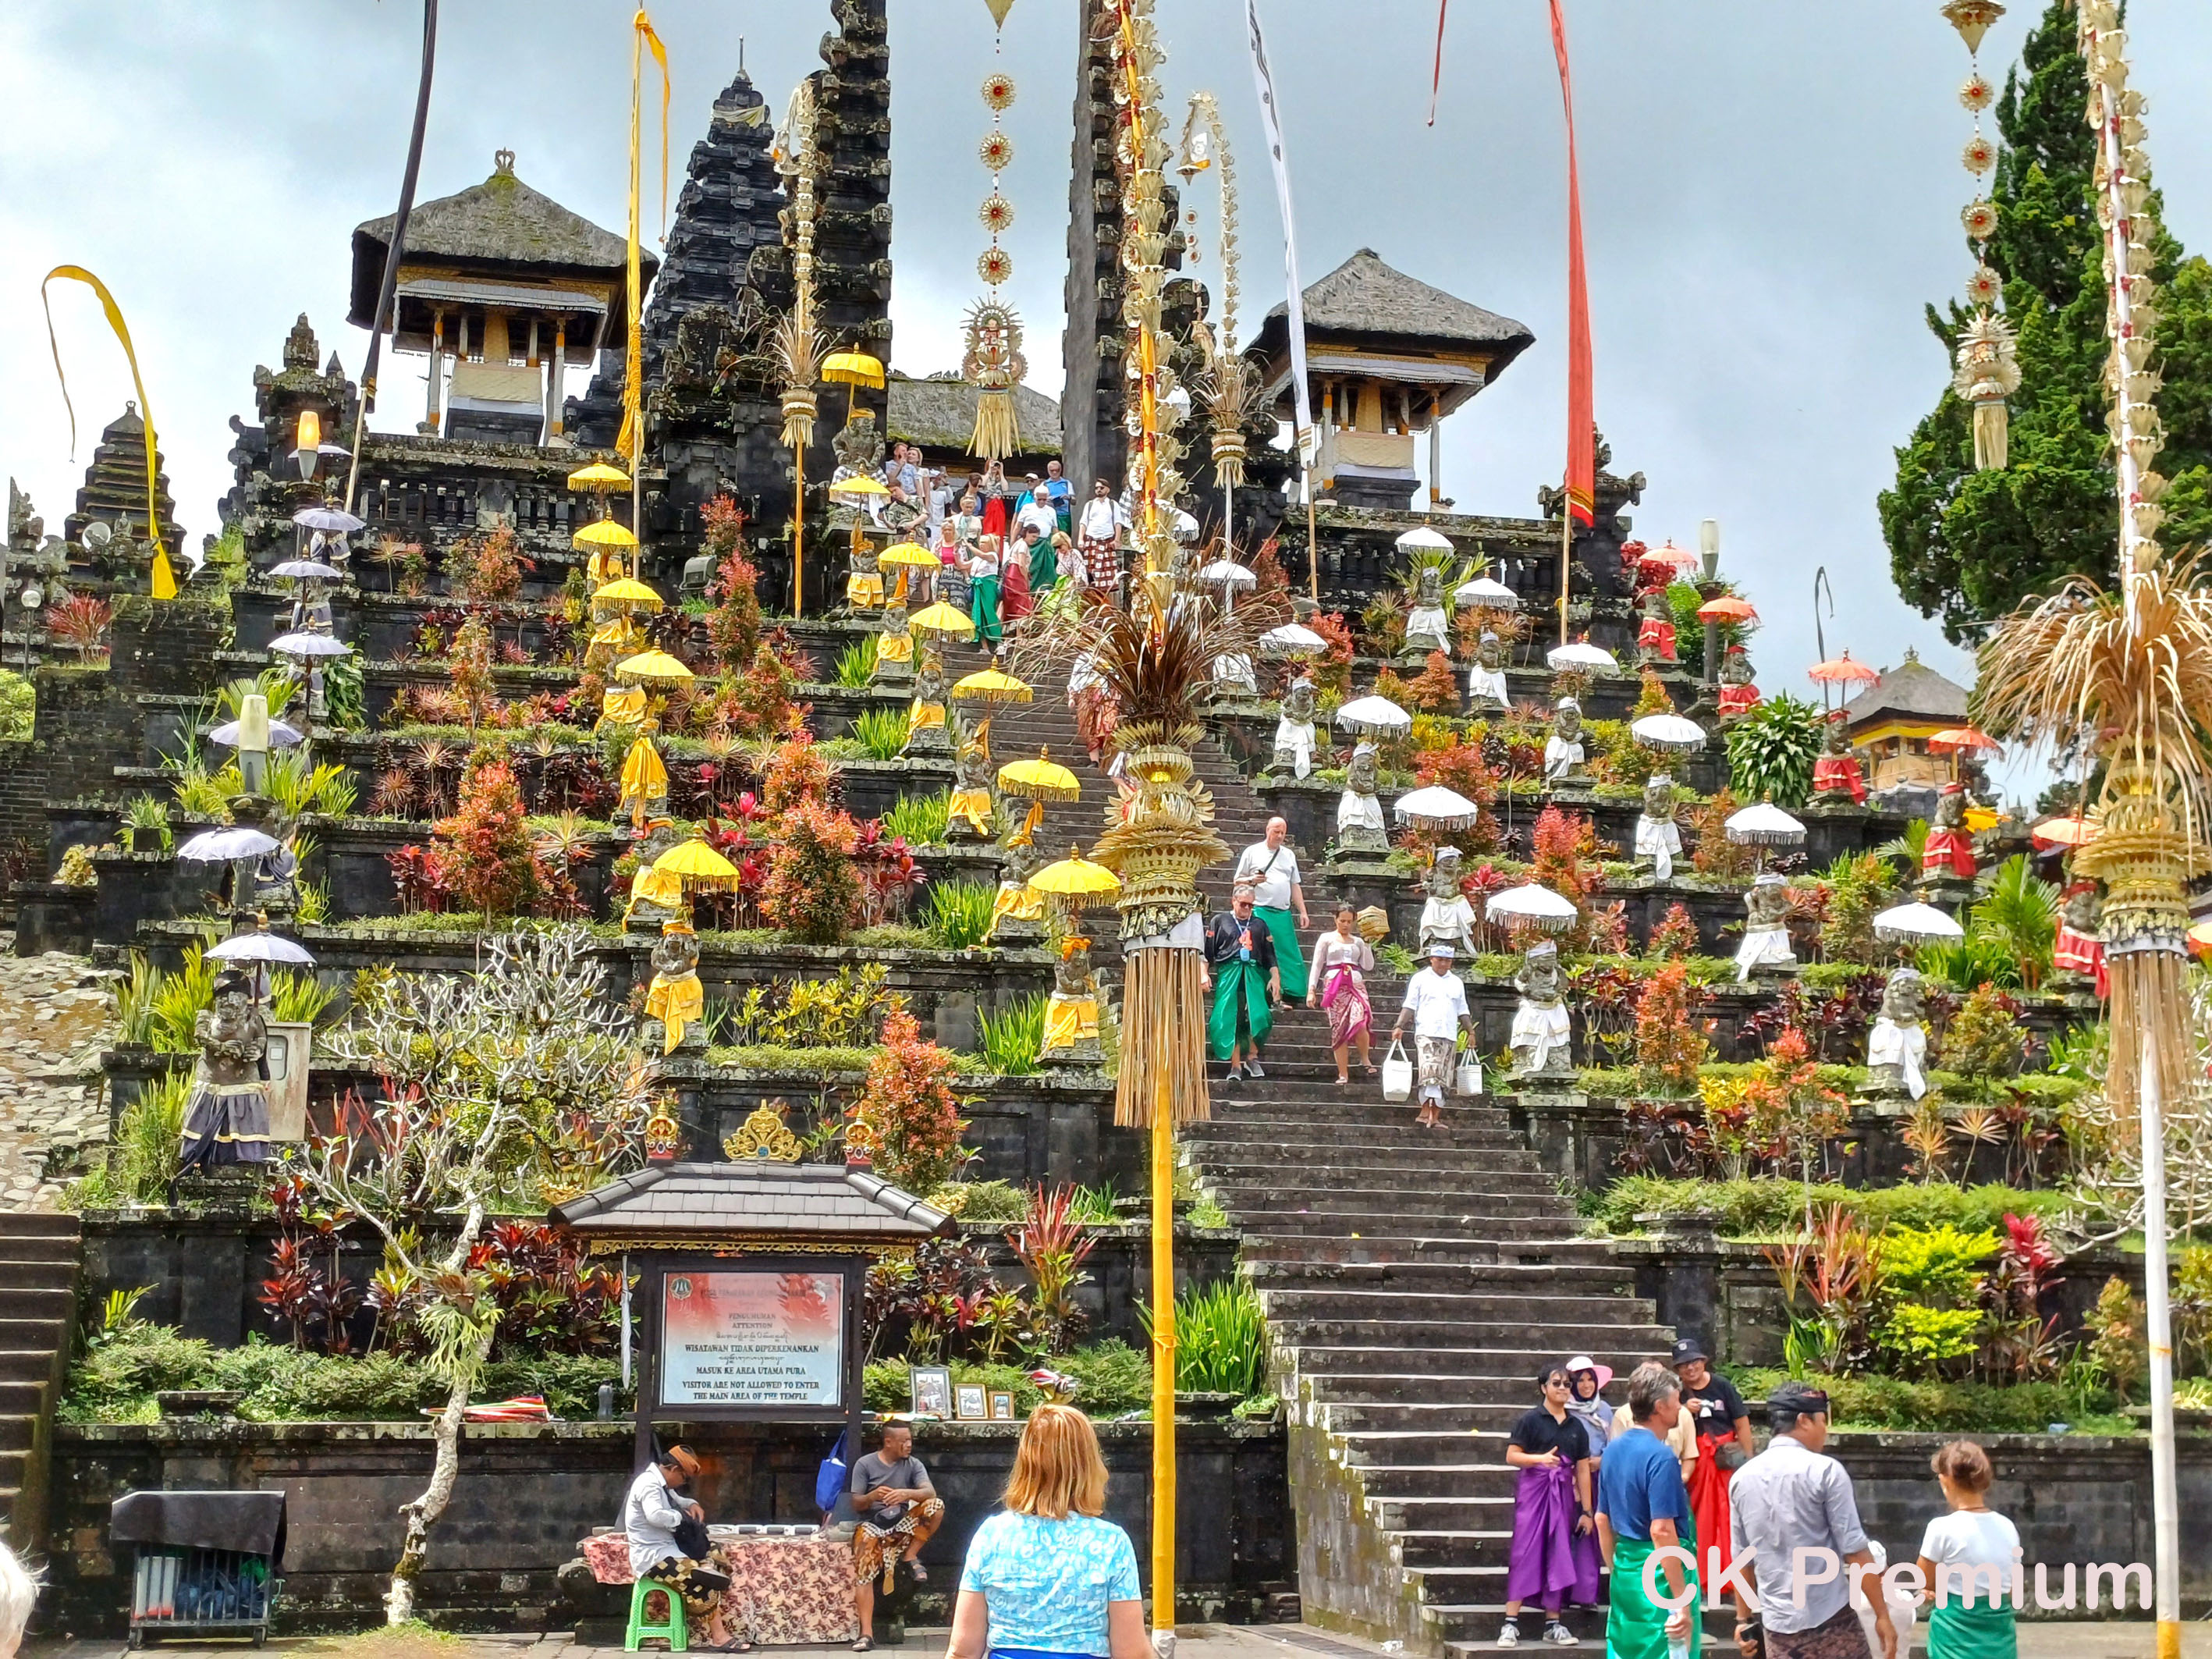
{"x":1645,"y":1507}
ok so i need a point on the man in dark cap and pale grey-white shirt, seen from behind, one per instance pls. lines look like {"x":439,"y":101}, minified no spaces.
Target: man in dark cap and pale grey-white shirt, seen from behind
{"x":1797,"y":1499}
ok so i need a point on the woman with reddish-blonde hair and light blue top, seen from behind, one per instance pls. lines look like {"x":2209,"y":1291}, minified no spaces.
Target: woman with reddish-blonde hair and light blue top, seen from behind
{"x":1047,"y":1578}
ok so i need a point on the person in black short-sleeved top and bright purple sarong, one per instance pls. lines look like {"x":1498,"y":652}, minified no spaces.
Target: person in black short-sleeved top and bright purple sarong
{"x":1554,"y":1556}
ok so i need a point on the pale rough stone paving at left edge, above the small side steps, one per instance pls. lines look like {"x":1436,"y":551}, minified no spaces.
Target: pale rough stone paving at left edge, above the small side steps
{"x":54,"y":1023}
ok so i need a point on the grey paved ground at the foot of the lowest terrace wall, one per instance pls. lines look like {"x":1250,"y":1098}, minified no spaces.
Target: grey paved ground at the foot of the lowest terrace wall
{"x":2114,"y":1640}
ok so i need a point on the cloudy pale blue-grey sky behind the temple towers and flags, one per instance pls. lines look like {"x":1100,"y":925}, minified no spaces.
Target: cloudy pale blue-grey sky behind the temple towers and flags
{"x":1771,"y":198}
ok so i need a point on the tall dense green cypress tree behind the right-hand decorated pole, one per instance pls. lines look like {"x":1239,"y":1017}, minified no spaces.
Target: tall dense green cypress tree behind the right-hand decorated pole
{"x":1970,"y":545}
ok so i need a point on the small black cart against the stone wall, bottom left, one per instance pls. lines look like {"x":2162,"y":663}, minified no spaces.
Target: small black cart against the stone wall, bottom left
{"x":207,"y":1561}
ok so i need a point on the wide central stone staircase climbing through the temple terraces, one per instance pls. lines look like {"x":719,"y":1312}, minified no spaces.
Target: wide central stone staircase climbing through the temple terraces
{"x":1415,"y":1280}
